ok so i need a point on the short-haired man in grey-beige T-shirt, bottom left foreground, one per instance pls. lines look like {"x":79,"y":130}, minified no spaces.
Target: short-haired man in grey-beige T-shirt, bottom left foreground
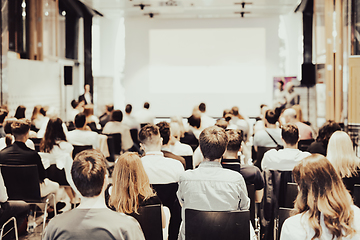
{"x":92,"y":219}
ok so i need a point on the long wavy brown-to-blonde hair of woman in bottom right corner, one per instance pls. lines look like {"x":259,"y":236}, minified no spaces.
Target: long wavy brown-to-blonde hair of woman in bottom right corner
{"x":322,"y":192}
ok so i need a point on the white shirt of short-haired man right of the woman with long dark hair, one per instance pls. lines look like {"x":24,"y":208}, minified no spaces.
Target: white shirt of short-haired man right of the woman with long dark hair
{"x":83,"y":137}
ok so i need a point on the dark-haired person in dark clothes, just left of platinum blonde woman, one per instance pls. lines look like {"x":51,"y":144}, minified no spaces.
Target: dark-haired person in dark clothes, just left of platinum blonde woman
{"x":325,"y":132}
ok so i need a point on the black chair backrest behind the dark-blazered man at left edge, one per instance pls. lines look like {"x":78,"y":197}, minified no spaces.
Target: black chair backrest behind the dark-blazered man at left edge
{"x":22,"y":182}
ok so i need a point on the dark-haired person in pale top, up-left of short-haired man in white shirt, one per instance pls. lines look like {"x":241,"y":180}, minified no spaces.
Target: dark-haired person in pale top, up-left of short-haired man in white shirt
{"x":116,"y":126}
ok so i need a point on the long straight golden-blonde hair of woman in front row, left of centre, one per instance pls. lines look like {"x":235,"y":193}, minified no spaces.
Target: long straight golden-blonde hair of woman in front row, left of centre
{"x":130,"y":184}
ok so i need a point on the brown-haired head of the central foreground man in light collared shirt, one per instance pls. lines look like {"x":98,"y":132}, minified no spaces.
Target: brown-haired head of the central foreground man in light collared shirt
{"x":213,"y":142}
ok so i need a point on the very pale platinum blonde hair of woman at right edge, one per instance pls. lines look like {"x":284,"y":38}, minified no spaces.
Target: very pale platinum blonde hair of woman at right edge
{"x":341,"y":154}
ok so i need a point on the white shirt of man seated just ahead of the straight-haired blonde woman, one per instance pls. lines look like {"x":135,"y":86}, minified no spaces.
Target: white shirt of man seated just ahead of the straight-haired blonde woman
{"x":161,"y":170}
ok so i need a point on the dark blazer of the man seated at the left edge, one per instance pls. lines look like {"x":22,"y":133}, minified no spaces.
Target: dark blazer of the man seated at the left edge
{"x":19,"y":154}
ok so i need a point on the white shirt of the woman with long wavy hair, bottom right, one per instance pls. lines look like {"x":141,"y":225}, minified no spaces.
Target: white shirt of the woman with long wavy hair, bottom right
{"x":297,"y":227}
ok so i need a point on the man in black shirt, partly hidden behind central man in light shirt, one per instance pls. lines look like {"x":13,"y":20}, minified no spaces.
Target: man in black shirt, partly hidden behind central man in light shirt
{"x":230,"y":160}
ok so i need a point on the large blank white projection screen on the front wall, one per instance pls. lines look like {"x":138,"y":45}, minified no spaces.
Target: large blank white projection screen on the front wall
{"x":230,"y":60}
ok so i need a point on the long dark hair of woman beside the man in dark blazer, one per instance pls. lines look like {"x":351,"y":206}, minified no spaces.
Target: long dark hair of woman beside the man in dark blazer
{"x":53,"y":133}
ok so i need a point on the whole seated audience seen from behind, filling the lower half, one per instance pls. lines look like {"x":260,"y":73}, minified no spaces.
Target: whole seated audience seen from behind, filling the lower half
{"x":206,"y":164}
